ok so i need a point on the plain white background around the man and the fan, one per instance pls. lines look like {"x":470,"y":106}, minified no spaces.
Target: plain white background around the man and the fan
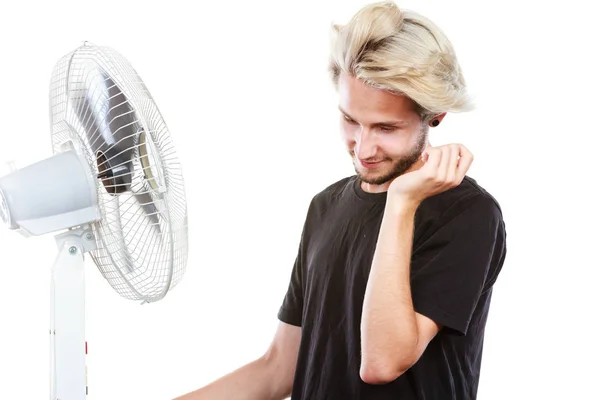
{"x":244,"y":90}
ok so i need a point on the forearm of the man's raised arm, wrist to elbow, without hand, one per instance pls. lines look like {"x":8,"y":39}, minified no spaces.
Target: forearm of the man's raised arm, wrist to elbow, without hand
{"x":389,"y":332}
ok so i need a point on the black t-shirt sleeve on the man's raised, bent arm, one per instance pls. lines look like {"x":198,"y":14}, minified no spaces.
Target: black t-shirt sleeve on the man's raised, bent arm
{"x":454,"y":265}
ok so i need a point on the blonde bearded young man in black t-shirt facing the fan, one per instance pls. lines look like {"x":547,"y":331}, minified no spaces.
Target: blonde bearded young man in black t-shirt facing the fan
{"x":392,"y":284}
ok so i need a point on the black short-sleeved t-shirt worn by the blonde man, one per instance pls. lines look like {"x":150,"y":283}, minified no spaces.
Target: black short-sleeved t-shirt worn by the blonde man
{"x":458,"y":250}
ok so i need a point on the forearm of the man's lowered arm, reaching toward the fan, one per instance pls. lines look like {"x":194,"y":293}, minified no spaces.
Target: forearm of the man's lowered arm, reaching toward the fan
{"x":254,"y":381}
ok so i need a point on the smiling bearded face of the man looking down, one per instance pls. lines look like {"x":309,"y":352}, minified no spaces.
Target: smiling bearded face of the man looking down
{"x":382,"y":131}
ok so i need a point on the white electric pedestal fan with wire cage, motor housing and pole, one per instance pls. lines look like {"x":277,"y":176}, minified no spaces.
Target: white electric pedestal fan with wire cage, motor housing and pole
{"x":113,"y":188}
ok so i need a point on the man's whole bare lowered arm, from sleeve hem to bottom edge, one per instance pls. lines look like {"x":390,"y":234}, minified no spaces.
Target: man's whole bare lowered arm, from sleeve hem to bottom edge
{"x":268,"y":377}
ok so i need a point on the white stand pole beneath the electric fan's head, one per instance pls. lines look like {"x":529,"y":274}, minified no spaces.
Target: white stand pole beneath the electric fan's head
{"x":68,"y":375}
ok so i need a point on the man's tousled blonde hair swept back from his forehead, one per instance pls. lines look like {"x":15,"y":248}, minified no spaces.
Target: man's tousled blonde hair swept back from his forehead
{"x":402,"y":52}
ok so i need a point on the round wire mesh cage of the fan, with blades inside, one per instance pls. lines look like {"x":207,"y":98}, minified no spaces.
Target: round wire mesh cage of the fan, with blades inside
{"x":100,"y":107}
